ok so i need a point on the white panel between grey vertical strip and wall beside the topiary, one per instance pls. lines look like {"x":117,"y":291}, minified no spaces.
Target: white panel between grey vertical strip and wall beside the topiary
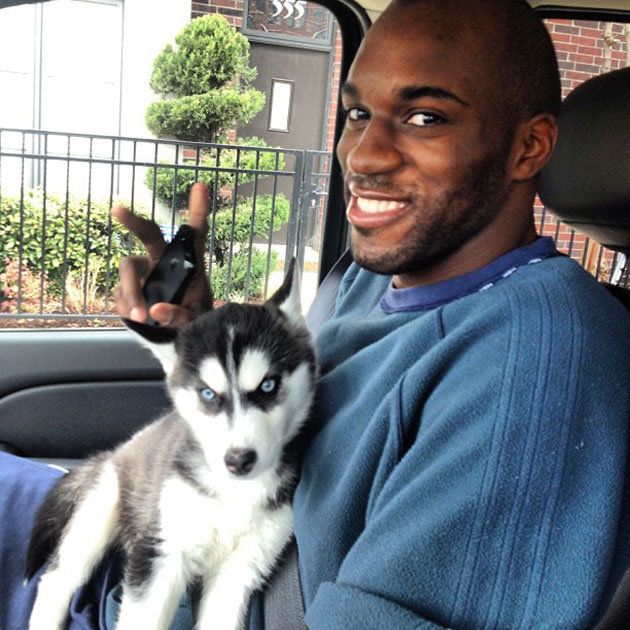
{"x":80,"y":89}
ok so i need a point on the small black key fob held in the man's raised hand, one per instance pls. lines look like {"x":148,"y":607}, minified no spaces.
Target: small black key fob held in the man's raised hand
{"x":169,"y":279}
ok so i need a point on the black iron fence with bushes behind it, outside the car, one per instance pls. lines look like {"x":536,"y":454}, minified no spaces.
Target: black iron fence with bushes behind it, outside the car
{"x":60,"y":250}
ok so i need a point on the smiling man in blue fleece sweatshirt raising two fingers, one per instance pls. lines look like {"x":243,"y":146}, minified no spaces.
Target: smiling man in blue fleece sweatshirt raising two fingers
{"x":471,"y":425}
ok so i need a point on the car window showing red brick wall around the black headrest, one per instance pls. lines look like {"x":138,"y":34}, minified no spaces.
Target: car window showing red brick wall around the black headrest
{"x":586,"y":48}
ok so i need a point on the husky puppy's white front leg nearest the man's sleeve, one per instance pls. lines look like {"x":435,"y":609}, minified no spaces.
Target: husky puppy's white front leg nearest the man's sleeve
{"x":226,"y":591}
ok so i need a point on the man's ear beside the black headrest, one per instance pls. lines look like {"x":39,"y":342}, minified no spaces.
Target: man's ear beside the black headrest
{"x":535,"y":141}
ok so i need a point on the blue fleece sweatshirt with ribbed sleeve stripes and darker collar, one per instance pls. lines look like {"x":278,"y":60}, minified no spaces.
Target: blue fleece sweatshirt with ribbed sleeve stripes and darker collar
{"x":469,"y":464}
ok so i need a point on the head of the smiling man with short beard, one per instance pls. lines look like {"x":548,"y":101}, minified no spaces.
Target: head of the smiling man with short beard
{"x":439,"y":156}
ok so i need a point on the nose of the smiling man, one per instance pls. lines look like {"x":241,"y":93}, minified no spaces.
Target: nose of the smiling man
{"x":375,"y":151}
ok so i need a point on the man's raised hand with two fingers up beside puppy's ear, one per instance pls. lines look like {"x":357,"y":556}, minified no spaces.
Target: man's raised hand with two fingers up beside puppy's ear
{"x":134,"y":270}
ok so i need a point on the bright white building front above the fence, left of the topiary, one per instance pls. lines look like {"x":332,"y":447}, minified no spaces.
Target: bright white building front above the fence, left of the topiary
{"x":60,"y":70}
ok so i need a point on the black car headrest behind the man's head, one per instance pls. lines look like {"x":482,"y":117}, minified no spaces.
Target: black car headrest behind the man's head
{"x":587,"y":181}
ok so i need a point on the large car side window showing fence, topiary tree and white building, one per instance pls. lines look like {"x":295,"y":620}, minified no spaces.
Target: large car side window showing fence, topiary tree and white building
{"x":98,"y":109}
